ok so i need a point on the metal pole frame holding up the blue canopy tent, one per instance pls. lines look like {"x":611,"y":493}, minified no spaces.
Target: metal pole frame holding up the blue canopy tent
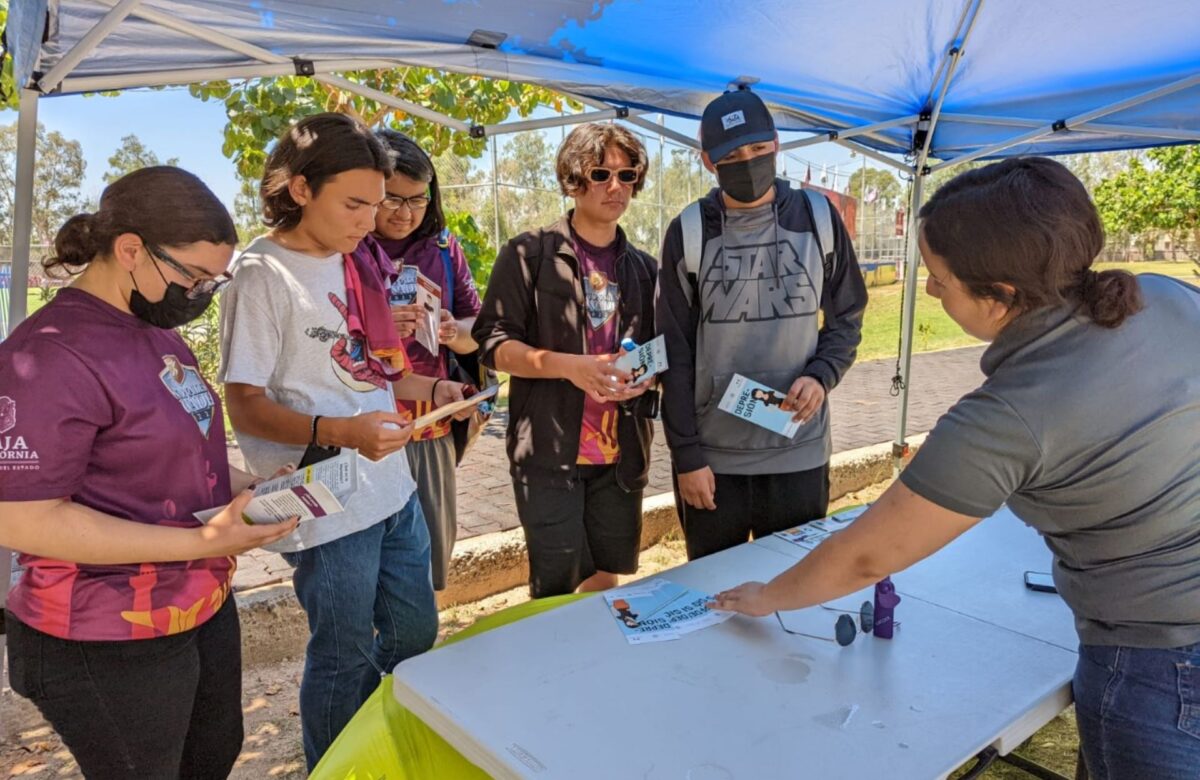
{"x":485,"y":61}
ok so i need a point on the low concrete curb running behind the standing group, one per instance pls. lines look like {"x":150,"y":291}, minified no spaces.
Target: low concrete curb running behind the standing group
{"x":274,"y":627}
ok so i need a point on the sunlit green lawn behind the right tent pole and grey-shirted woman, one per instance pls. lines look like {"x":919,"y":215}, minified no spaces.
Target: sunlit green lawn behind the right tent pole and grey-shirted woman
{"x":935,"y":331}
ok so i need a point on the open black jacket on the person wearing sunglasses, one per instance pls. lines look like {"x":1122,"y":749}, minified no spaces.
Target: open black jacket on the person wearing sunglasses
{"x":536,"y":297}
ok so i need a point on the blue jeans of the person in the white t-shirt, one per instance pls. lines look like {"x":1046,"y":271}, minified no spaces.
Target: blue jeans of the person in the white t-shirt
{"x":370,"y":604}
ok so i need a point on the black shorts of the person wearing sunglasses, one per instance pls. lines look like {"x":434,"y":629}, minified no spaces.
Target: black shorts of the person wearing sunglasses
{"x":574,"y":532}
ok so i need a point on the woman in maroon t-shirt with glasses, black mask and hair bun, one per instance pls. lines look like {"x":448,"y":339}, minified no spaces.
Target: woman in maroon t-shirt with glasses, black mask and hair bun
{"x":123,"y":629}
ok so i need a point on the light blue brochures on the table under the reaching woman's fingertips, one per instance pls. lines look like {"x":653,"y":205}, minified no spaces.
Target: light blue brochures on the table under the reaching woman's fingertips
{"x":661,"y":611}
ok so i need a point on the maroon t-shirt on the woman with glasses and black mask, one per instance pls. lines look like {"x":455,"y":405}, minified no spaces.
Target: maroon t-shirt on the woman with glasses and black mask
{"x":98,"y":406}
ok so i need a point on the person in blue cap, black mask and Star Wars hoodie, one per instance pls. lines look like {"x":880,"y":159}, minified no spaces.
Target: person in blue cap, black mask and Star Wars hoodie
{"x":746,"y":273}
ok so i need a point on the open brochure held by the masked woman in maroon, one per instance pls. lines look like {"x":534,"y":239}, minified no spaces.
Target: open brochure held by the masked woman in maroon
{"x":314,"y":491}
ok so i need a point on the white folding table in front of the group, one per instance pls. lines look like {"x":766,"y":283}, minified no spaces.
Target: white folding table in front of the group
{"x":563,"y":695}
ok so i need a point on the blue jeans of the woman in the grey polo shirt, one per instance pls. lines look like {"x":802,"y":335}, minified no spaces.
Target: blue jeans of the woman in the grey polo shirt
{"x":1139,"y":712}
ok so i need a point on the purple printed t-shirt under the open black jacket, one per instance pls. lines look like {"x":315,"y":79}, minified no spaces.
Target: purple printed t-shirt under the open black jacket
{"x":598,"y":267}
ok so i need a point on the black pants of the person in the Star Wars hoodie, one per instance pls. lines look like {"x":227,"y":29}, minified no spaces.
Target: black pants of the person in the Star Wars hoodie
{"x":753,"y":506}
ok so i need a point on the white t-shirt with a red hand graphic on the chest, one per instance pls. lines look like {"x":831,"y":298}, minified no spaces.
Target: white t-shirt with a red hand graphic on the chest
{"x":284,"y":329}
